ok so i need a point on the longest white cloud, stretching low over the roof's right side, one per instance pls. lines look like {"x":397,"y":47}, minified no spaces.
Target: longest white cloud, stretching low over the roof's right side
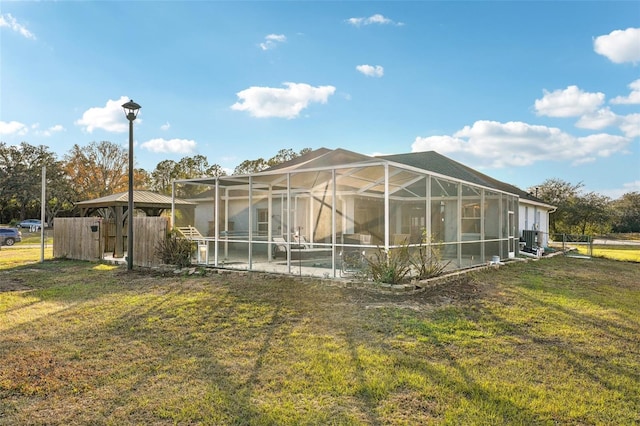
{"x":494,"y":144}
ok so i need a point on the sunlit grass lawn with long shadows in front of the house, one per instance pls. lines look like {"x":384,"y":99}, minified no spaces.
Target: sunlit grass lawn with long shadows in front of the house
{"x":547,"y":342}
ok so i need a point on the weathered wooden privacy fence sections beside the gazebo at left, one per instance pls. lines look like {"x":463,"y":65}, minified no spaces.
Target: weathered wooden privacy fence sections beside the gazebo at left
{"x":88,"y":238}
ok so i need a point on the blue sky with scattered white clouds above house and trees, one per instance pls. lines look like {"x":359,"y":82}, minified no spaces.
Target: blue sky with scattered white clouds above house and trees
{"x":523,"y":91}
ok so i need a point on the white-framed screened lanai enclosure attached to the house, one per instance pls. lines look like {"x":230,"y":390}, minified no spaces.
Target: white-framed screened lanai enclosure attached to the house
{"x":326,"y":212}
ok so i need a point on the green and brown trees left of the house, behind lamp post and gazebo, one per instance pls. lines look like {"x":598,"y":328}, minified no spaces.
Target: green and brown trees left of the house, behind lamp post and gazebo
{"x":96,"y":170}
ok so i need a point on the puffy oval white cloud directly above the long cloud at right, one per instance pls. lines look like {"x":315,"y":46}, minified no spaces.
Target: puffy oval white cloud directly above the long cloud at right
{"x":570,"y":102}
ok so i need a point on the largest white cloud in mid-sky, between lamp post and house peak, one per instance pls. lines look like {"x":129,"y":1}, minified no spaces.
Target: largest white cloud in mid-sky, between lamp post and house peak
{"x":276,"y":102}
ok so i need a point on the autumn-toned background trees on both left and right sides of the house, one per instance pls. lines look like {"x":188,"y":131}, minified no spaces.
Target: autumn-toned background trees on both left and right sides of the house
{"x":101,"y":168}
